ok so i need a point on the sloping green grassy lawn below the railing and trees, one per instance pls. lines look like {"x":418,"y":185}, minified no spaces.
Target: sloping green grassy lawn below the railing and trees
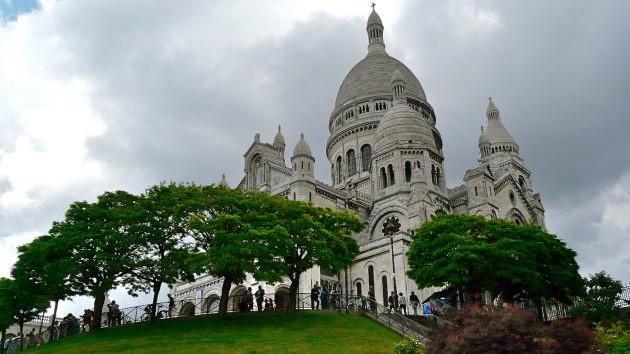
{"x":306,"y":332}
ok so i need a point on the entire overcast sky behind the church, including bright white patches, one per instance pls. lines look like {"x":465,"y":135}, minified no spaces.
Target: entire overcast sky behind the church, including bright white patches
{"x":105,"y":95}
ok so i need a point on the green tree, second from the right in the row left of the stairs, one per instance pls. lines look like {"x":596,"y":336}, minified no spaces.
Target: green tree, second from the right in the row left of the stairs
{"x":229,"y":230}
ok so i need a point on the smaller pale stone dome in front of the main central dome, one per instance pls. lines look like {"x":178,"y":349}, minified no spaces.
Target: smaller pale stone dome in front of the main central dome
{"x":403,"y":125}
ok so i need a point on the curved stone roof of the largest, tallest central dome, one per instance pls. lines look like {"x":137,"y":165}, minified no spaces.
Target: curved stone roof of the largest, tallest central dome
{"x":372,"y":77}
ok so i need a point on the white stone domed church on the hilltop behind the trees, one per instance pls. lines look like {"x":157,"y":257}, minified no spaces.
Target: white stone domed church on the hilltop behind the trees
{"x":386,"y":159}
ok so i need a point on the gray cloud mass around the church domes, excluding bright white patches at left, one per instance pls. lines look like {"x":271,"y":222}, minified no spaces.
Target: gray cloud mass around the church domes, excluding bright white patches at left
{"x":183,"y":88}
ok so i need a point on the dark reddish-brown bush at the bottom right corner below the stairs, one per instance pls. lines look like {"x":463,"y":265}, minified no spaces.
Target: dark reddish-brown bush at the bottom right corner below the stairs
{"x":509,"y":330}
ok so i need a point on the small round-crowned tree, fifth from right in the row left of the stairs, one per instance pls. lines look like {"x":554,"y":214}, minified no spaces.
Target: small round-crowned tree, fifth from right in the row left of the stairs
{"x":45,"y":263}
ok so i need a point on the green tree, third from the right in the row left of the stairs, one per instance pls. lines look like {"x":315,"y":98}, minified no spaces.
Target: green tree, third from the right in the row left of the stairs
{"x":163,"y":254}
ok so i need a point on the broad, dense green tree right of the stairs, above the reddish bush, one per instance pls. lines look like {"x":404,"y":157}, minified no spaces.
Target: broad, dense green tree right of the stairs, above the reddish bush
{"x":475,"y":254}
